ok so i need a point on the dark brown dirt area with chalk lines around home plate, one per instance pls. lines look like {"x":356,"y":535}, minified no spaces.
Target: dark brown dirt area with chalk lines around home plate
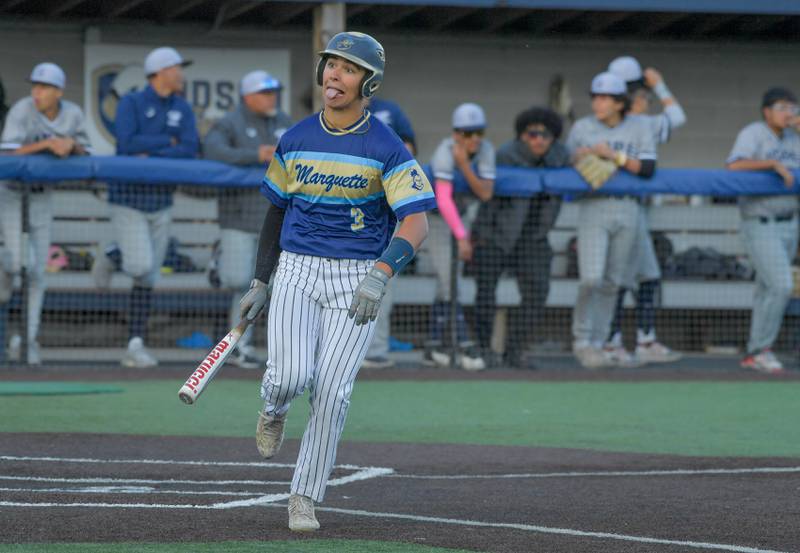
{"x":65,"y":487}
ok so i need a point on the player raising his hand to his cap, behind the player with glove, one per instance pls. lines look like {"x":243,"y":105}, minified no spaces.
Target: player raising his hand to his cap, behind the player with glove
{"x":643,"y":272}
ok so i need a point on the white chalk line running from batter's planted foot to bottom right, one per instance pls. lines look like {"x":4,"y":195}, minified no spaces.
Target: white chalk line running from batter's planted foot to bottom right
{"x":552,"y":530}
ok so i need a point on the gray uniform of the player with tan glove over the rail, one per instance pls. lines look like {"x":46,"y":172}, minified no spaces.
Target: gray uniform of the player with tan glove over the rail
{"x":607,"y":229}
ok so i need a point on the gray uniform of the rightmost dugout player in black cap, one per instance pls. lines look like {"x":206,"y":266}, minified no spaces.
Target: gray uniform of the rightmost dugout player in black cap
{"x":769,"y":229}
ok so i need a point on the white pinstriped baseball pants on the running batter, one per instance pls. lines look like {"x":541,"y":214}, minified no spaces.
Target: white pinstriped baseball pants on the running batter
{"x":313,"y":344}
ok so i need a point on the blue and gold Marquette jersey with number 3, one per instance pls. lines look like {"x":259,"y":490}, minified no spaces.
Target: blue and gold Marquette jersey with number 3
{"x":343,"y":193}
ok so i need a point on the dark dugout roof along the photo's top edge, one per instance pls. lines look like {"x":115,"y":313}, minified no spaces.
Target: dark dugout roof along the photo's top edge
{"x":764,"y":20}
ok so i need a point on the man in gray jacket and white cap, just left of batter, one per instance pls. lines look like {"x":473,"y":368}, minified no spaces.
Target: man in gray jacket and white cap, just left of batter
{"x":246,"y":136}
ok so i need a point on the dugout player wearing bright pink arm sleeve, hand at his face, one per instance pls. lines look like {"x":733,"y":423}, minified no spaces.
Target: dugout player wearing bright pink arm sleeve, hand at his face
{"x":473,"y":156}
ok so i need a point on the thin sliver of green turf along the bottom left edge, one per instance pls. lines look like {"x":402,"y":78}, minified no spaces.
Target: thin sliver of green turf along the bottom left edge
{"x":295,"y":546}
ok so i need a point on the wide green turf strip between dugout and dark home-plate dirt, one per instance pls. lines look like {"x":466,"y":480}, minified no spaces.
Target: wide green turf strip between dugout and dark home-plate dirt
{"x":689,"y":418}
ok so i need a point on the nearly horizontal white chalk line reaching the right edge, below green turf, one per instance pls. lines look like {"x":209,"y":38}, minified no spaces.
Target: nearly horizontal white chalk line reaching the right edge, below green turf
{"x":676,"y":472}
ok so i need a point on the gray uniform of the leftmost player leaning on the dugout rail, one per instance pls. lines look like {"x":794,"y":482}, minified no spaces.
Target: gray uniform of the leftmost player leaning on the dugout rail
{"x":26,"y":125}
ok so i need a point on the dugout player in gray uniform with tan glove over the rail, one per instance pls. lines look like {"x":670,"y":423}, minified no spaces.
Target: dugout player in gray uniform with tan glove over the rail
{"x":607,"y":225}
